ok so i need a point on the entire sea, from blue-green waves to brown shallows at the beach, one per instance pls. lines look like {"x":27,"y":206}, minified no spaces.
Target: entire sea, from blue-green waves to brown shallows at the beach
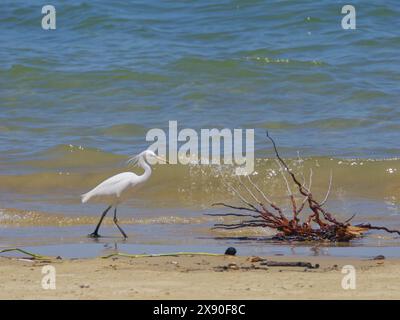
{"x":75,"y":102}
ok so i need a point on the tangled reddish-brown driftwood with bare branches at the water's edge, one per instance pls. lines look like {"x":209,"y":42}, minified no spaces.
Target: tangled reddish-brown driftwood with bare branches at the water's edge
{"x":318,"y":225}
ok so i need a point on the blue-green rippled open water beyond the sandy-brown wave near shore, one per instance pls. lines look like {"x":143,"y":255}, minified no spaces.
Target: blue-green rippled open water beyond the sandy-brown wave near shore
{"x":114,"y":69}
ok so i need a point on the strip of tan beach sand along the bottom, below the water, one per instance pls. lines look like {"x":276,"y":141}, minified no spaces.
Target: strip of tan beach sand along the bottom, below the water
{"x":198,"y":277}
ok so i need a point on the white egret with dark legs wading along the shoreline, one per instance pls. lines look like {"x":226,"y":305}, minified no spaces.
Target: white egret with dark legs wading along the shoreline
{"x":116,"y":189}
